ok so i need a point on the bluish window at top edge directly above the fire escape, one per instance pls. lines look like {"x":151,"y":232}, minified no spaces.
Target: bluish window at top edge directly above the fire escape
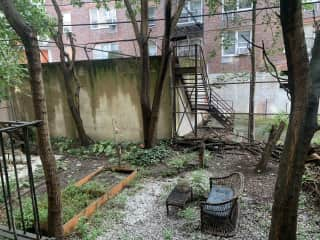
{"x":191,"y":11}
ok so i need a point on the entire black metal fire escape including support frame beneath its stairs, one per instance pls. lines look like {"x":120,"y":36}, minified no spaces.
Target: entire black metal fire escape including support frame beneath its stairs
{"x":192,"y":95}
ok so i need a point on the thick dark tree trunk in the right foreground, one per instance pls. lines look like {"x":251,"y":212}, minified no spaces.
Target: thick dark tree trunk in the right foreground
{"x":302,"y":124}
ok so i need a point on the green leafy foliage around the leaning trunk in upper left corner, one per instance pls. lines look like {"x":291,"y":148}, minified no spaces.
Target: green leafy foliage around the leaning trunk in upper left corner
{"x":11,"y":53}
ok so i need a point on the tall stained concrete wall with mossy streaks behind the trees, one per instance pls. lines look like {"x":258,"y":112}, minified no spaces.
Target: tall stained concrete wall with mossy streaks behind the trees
{"x":109,"y":92}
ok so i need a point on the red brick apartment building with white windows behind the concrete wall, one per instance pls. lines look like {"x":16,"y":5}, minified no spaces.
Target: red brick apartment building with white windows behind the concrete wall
{"x":101,"y":33}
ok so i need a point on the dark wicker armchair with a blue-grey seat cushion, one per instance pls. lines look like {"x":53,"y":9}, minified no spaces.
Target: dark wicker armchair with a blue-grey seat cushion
{"x":219,"y":214}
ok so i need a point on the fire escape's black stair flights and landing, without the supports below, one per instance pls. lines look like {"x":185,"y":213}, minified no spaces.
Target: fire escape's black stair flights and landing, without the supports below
{"x":191,"y":76}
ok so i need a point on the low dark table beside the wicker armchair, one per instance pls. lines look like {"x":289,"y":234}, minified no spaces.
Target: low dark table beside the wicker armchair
{"x":178,"y":198}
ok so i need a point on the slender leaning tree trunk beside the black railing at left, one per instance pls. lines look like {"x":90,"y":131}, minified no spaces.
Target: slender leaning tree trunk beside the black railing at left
{"x":29,"y":39}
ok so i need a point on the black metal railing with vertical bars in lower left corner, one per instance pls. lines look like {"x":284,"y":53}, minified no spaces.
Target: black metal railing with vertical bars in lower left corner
{"x":13,"y":136}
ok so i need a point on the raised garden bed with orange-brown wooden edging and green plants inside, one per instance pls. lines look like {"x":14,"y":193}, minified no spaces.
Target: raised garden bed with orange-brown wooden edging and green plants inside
{"x":88,"y":194}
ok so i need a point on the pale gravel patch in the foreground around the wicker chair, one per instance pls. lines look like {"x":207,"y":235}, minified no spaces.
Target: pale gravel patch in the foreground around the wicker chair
{"x":145,"y":218}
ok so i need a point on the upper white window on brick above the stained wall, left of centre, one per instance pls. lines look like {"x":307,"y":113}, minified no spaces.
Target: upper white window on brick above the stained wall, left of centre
{"x":102,"y":18}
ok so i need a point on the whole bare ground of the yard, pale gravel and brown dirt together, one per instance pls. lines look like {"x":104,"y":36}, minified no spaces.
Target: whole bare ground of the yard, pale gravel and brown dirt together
{"x":143,"y":215}
